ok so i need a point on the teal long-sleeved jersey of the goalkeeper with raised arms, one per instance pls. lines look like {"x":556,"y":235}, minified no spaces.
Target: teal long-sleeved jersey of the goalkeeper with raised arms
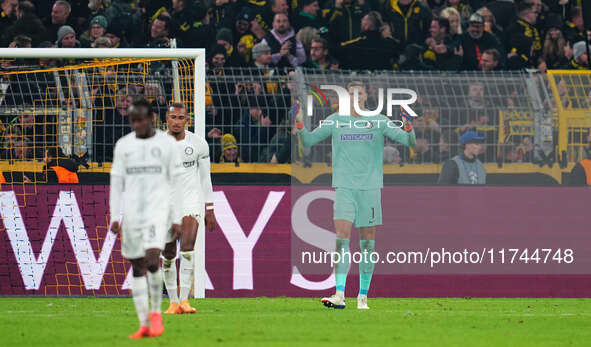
{"x":357,"y":148}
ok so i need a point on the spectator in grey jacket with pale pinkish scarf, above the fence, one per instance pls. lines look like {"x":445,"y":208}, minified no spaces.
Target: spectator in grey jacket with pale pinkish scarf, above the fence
{"x":286,"y":51}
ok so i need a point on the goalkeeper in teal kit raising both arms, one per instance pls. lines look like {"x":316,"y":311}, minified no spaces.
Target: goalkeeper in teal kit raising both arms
{"x":357,"y":176}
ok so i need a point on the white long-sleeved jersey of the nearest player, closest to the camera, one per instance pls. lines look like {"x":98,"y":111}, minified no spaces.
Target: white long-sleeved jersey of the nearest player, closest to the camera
{"x":149,"y":168}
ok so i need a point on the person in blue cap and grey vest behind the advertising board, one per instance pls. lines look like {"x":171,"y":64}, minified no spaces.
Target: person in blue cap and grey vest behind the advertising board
{"x":465,"y":168}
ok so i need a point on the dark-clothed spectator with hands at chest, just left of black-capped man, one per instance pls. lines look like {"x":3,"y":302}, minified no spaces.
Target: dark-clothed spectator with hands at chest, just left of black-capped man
{"x":441,"y":50}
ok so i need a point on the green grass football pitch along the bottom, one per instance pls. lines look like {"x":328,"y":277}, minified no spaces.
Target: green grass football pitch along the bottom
{"x":294,"y":321}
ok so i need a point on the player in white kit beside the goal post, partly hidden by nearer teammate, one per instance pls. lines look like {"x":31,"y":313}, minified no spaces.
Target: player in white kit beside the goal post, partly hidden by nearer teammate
{"x":197,"y":189}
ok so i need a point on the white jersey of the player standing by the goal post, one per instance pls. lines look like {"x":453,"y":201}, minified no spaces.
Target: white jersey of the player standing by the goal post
{"x":195,"y":178}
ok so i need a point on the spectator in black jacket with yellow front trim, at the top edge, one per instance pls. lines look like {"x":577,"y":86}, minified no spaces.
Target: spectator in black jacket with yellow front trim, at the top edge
{"x":410,"y":21}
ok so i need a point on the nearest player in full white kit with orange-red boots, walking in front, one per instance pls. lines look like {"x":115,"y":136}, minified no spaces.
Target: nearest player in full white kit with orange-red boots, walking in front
{"x":145,"y":177}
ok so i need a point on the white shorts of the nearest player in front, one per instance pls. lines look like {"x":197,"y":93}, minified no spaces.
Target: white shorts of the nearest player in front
{"x":135,"y":241}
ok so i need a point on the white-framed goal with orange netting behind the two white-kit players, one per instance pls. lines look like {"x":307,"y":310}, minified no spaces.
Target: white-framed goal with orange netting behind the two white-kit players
{"x":73,"y":103}
